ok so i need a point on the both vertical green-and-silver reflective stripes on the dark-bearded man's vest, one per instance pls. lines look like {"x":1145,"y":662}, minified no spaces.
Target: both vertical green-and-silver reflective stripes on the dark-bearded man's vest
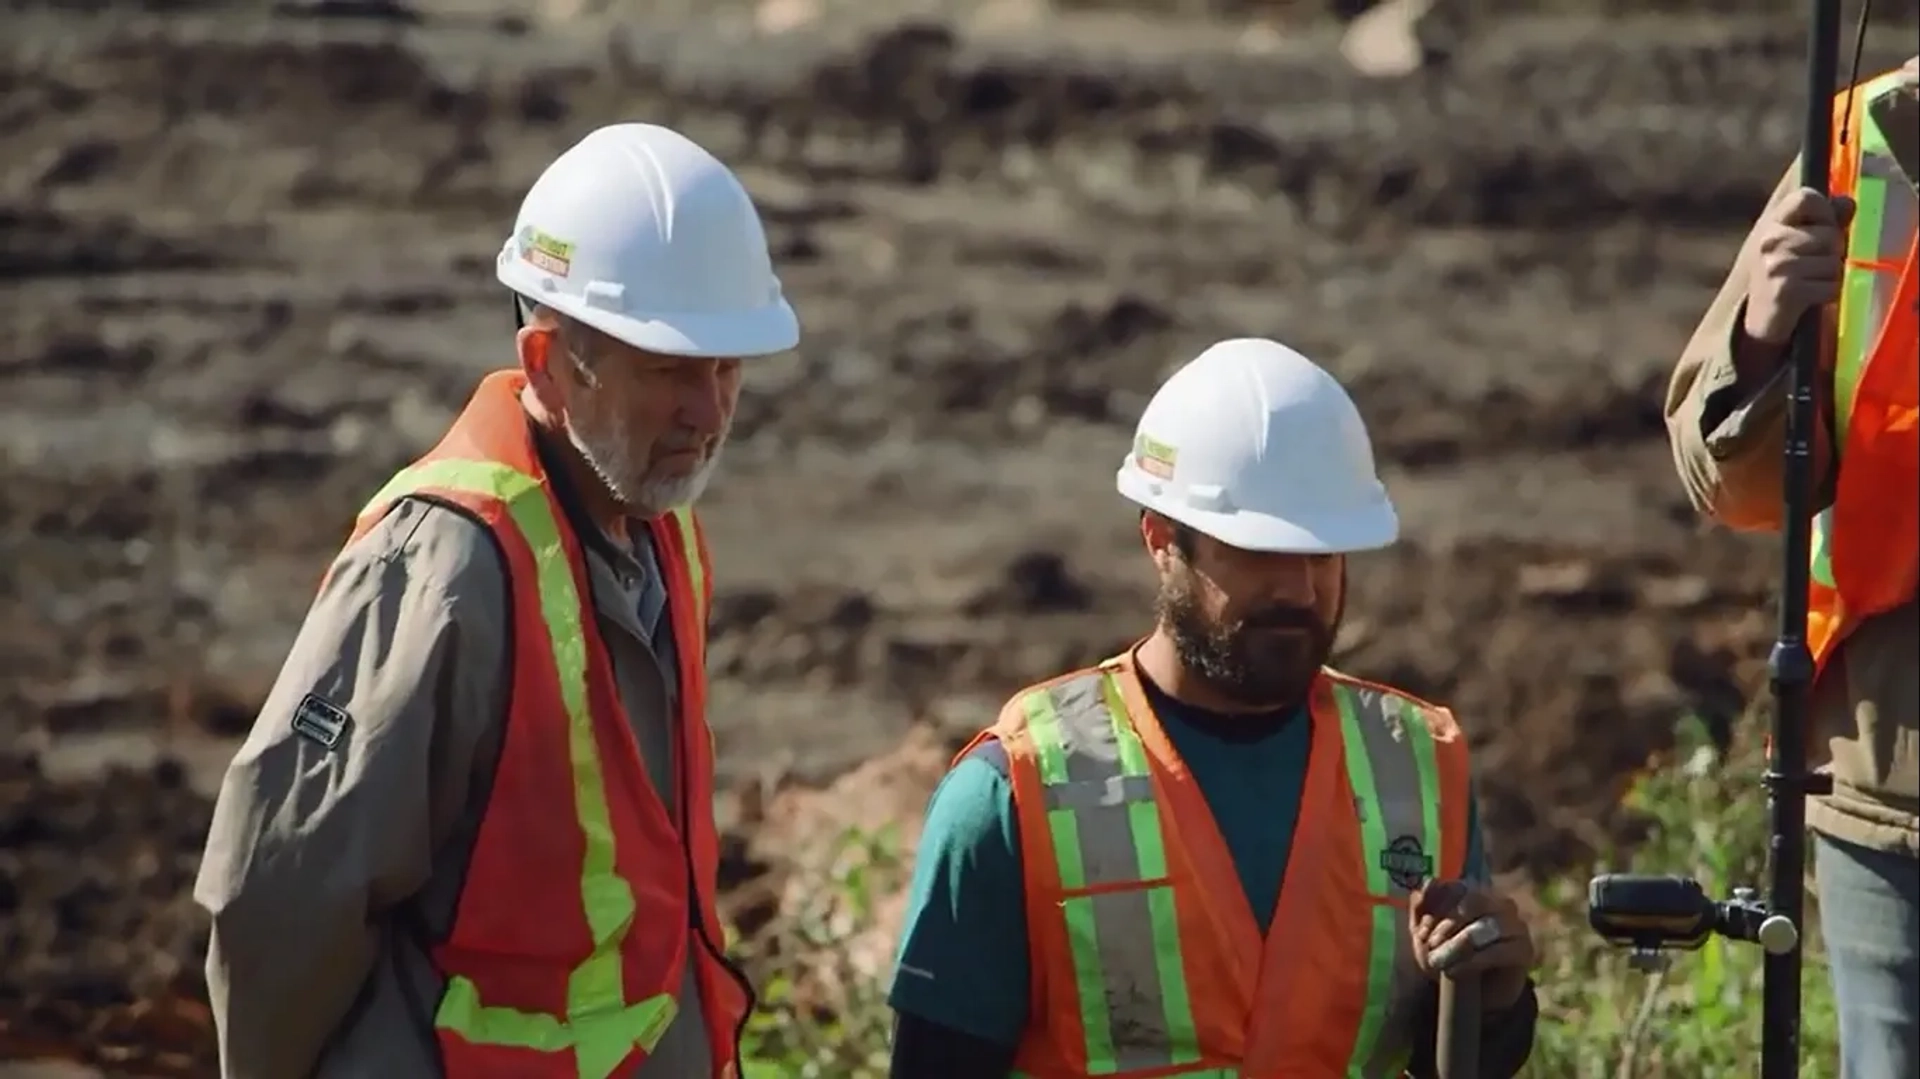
{"x":1109,"y":830}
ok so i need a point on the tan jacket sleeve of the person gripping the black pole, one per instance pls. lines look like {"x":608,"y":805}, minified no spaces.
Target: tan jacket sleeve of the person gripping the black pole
{"x":1729,"y":439}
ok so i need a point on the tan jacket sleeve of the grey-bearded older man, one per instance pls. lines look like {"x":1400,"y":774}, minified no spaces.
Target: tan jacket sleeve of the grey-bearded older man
{"x":322,"y":823}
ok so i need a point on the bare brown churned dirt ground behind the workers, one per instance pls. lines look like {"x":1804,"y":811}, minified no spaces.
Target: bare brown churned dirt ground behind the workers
{"x":247,"y":274}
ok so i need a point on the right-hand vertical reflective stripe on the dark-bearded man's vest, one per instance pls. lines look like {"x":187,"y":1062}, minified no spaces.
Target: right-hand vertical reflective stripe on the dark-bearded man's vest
{"x":1397,"y":794}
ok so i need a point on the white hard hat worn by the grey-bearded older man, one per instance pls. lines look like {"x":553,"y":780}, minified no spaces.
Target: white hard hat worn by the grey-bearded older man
{"x":646,"y":237}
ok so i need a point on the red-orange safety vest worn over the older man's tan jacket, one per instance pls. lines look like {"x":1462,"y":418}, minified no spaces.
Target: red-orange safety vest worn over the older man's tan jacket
{"x":573,"y":926}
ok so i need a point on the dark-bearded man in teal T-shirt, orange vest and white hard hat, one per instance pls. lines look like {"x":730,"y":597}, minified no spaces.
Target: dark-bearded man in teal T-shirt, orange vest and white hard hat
{"x":1214,"y":855}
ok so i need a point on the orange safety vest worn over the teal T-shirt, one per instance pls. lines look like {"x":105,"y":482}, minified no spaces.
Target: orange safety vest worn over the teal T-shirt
{"x":1147,"y":959}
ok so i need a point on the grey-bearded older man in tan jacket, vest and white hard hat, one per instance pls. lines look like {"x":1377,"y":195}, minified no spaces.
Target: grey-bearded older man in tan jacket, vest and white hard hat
{"x":471,"y":830}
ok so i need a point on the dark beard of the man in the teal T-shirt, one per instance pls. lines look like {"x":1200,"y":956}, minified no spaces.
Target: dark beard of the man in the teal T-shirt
{"x":1241,"y":659}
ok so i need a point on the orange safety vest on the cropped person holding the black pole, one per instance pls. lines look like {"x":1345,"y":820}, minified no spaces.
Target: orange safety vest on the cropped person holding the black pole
{"x":1867,"y":544}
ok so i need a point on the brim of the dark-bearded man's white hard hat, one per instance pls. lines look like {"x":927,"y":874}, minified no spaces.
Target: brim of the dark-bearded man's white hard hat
{"x":1368,"y":527}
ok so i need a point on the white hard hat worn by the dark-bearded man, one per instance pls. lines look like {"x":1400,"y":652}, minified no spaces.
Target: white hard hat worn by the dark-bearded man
{"x":1259,"y":448}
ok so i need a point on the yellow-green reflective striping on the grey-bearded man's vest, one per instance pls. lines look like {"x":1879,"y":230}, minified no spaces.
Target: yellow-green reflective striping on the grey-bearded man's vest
{"x":600,"y":1026}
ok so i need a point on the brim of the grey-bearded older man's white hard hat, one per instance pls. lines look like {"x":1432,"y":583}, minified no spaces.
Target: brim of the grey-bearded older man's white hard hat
{"x":721,"y":335}
